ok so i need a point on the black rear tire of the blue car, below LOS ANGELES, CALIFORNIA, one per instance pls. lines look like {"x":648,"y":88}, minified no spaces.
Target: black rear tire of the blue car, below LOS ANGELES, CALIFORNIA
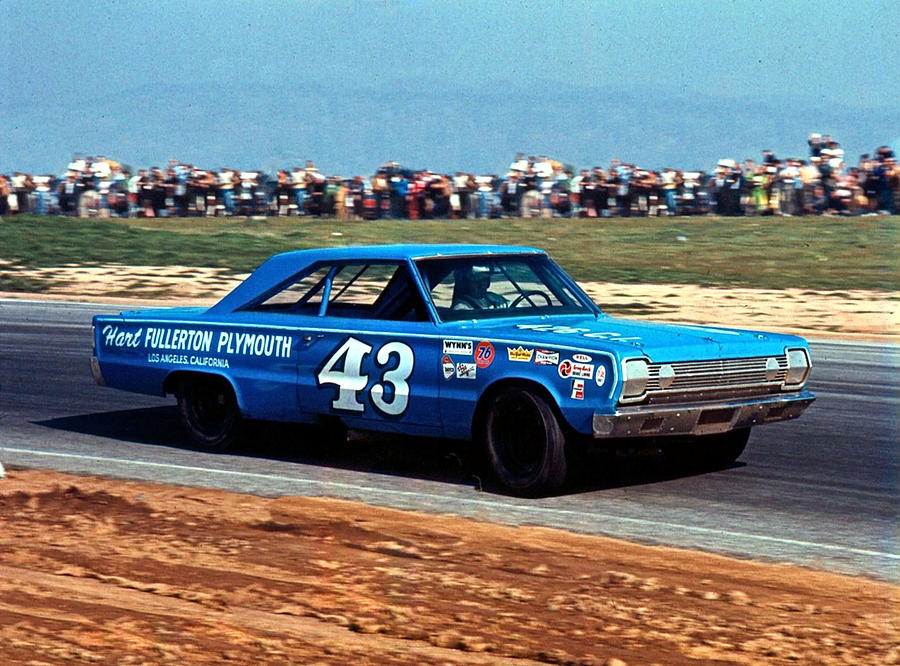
{"x":209,"y":412}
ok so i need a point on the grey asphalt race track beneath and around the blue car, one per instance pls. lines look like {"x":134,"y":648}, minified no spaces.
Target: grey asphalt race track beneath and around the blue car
{"x":819,"y":492}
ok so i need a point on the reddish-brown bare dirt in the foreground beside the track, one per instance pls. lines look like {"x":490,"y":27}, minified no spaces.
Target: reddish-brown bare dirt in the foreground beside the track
{"x":103,"y":571}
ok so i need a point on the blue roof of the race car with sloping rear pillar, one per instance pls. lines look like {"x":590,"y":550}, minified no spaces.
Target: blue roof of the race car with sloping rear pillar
{"x":280,"y":267}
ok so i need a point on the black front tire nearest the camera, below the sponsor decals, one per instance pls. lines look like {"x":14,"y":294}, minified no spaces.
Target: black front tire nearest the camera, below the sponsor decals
{"x":525,"y":445}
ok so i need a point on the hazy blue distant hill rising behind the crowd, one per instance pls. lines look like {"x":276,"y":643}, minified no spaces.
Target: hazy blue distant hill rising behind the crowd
{"x":421,"y":124}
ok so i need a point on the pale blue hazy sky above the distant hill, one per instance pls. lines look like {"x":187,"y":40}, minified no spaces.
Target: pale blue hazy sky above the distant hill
{"x":72,"y":56}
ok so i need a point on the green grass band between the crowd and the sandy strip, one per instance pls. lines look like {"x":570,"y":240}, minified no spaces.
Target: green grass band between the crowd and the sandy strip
{"x":821,"y":253}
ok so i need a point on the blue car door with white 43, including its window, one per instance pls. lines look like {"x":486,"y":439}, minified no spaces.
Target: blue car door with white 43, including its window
{"x":371,"y":360}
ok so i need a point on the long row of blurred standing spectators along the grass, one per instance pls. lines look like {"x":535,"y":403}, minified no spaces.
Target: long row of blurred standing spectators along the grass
{"x":819,"y":183}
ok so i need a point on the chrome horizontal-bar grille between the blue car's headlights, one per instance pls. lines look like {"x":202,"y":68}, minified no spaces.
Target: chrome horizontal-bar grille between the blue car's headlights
{"x":718,"y":374}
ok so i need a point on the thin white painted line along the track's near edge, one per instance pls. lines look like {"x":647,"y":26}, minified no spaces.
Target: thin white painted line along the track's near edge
{"x":469,"y":501}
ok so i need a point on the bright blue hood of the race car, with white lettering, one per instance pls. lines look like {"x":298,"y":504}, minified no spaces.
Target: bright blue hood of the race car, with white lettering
{"x":661,"y":343}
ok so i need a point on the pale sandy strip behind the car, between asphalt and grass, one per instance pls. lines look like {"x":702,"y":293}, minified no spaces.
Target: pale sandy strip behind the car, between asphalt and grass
{"x":860,"y":314}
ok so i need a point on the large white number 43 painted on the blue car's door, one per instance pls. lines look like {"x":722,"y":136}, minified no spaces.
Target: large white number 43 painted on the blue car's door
{"x":344,"y":370}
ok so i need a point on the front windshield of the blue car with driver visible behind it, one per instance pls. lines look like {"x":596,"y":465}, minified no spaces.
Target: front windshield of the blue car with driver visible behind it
{"x":500,"y":286}
